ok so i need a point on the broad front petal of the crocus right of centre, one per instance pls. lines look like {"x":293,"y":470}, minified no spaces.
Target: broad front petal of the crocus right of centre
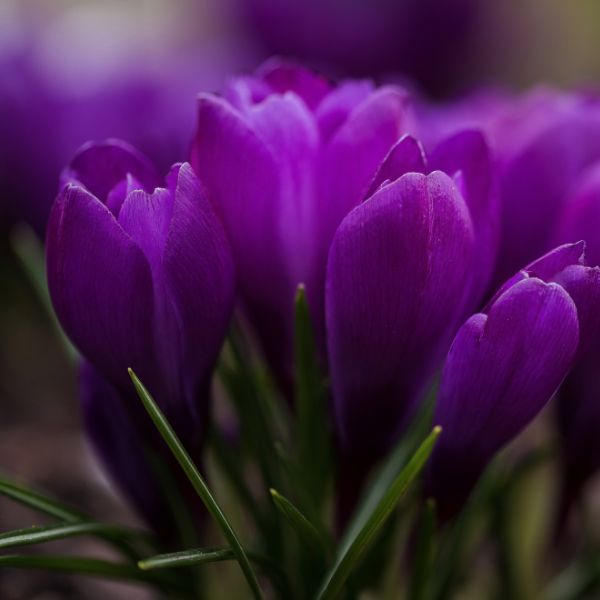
{"x":397,"y":271}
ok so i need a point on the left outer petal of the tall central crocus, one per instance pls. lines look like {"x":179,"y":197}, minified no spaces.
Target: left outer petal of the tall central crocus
{"x":246,"y":194}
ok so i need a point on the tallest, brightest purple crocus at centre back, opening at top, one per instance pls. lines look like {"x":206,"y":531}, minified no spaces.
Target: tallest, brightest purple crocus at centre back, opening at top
{"x":284,"y":155}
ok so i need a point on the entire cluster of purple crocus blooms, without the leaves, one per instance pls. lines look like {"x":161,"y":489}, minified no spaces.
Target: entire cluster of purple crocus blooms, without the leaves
{"x":295,"y":180}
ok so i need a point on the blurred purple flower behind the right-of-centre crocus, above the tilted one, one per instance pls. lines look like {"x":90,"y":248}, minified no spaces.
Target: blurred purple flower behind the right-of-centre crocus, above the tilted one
{"x":543,"y":141}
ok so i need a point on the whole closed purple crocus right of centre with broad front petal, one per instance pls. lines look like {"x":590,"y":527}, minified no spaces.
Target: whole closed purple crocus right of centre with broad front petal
{"x":404,"y":268}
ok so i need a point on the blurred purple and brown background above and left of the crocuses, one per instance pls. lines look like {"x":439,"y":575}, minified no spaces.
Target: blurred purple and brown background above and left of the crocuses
{"x":74,"y":70}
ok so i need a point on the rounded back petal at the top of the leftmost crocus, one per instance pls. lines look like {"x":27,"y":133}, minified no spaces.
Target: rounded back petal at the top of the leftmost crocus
{"x":101,"y":166}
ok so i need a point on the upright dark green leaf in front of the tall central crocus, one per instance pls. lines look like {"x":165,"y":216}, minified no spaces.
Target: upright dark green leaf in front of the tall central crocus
{"x":312,"y":417}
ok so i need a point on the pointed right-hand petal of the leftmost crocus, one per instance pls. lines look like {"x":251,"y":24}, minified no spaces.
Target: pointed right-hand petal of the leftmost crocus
{"x":199,"y":275}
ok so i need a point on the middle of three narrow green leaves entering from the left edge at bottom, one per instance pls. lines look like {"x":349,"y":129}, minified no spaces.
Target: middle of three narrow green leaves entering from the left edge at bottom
{"x":59,"y":531}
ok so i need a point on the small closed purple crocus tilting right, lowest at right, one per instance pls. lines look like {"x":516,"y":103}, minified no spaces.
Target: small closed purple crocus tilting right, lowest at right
{"x":506,"y":363}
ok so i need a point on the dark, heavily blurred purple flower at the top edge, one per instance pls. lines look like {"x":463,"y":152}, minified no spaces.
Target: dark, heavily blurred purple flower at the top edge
{"x":429,"y":40}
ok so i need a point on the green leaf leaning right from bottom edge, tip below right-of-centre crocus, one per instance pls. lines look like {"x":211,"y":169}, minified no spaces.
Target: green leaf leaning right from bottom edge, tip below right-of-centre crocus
{"x":351,"y":554}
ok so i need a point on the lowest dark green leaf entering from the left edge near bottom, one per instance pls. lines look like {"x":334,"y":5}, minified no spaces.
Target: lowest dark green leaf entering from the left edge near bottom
{"x":78,"y":565}
